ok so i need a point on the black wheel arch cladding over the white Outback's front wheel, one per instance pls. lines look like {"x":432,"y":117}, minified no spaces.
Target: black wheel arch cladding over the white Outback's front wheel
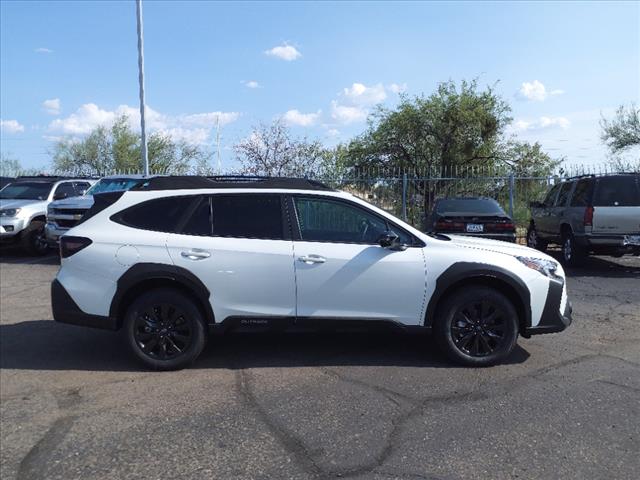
{"x":465,"y":273}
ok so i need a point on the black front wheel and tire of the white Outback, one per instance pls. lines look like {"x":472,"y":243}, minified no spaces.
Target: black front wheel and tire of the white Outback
{"x":476,"y":326}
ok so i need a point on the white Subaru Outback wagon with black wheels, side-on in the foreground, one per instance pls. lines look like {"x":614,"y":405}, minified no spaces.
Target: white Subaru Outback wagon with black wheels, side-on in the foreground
{"x":180,"y":256}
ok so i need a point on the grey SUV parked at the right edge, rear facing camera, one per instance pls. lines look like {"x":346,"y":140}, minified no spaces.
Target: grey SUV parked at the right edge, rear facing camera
{"x":593,"y":214}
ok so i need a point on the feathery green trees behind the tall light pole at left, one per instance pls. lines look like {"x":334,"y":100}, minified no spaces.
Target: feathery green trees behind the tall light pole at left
{"x":117,"y":149}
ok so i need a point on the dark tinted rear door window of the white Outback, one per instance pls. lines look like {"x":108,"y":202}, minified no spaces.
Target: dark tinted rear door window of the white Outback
{"x":248,"y":216}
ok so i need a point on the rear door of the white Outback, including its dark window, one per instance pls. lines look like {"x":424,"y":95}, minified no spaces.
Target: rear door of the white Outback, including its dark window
{"x":240,"y":247}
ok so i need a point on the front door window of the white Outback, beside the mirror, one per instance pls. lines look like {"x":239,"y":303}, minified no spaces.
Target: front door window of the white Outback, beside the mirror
{"x":322,"y":220}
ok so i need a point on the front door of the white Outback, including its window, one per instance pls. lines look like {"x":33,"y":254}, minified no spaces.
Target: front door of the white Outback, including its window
{"x":343,"y":273}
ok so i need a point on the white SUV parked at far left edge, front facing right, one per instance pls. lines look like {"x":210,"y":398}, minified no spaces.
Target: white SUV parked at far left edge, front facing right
{"x":23,"y":208}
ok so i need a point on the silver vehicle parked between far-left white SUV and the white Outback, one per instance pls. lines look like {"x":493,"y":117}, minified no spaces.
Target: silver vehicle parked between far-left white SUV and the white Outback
{"x":65,"y":214}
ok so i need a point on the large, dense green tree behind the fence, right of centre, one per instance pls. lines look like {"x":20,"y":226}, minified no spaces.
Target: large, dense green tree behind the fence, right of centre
{"x":453,"y":126}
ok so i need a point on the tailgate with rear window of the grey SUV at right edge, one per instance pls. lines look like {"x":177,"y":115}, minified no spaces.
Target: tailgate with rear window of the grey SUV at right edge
{"x":616,"y":205}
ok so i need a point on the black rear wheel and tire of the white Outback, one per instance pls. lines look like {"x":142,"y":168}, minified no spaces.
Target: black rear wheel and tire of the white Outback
{"x":165,"y":329}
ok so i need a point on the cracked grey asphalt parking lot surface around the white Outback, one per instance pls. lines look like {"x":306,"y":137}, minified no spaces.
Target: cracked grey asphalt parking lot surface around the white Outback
{"x":75,"y":404}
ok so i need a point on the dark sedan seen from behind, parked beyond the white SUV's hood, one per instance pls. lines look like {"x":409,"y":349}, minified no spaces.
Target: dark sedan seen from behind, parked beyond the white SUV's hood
{"x":471,"y":216}
